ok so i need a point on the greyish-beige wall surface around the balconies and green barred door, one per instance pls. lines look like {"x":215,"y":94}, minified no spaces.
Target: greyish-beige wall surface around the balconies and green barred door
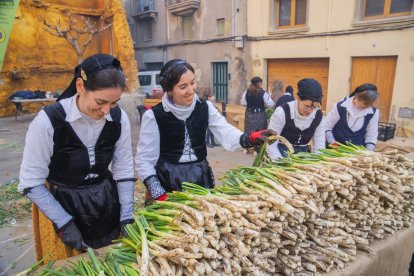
{"x":205,"y":47}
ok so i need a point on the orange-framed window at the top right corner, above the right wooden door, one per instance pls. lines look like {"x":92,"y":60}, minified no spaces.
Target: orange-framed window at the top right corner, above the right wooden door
{"x":373,"y":9}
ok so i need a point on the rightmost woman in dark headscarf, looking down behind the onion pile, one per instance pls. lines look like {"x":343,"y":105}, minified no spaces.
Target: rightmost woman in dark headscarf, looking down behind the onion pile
{"x":354,"y":119}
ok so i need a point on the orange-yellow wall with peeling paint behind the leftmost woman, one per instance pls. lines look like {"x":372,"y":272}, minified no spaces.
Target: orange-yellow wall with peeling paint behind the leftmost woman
{"x":35,"y":59}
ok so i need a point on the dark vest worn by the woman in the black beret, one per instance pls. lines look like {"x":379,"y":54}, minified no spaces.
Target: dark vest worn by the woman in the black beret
{"x":293,"y":134}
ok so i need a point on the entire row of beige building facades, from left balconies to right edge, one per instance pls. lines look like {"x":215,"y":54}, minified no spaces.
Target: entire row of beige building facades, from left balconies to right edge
{"x":340,"y":43}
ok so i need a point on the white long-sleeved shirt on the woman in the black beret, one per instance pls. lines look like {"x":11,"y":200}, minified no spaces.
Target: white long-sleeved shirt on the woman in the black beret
{"x":278,"y":121}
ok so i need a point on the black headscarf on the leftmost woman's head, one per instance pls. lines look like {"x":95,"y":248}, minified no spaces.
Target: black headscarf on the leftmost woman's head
{"x":90,"y":65}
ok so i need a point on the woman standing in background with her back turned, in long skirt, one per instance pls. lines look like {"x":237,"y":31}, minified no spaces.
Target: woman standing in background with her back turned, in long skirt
{"x":256,"y":100}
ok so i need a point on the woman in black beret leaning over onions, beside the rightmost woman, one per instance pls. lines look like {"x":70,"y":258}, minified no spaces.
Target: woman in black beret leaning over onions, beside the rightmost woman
{"x":299,"y":121}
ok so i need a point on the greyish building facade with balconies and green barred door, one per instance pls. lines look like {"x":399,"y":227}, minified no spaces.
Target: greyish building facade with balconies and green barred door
{"x":208,"y":34}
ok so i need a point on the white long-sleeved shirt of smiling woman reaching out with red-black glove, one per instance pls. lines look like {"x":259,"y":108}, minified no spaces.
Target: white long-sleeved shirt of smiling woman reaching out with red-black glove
{"x":148,"y":148}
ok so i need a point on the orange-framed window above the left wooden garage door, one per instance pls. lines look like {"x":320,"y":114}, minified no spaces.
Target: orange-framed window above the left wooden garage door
{"x":290,"y":13}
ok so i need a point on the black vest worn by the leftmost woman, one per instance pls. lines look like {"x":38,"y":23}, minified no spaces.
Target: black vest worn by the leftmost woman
{"x":69,"y":164}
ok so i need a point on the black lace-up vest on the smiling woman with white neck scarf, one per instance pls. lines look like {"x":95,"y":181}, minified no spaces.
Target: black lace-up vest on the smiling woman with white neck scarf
{"x":172,"y":132}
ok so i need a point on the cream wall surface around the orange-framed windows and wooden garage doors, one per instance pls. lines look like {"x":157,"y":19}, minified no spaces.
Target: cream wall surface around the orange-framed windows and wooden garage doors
{"x":333,"y":30}
